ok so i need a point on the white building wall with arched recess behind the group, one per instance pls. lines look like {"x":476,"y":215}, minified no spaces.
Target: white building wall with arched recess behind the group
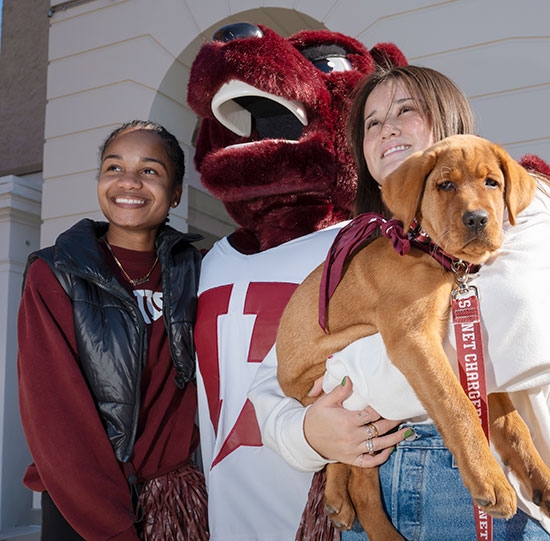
{"x":114,"y":60}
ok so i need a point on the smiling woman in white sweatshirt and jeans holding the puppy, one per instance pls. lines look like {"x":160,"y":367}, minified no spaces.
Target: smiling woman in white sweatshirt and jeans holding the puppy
{"x":396,"y":113}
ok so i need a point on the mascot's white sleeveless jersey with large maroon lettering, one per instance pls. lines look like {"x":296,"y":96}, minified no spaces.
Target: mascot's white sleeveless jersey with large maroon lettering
{"x":253,"y":493}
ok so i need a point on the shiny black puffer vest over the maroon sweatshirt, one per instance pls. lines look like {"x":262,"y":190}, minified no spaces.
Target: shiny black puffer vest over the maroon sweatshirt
{"x":110,"y":330}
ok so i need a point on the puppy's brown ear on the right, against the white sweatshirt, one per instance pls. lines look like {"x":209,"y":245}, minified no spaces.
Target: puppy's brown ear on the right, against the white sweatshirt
{"x":519,"y":187}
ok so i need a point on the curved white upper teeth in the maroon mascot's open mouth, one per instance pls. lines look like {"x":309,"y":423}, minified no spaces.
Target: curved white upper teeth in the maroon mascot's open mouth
{"x":236,"y":102}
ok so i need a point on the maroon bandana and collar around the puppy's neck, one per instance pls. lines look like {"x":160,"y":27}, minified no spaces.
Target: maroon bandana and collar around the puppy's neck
{"x":358,"y":232}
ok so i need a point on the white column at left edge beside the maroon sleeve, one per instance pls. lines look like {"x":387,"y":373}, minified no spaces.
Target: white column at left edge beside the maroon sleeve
{"x":20,"y":205}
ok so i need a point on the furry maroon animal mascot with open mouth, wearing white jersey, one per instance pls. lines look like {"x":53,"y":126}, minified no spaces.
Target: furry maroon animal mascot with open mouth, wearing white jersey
{"x":272,"y":148}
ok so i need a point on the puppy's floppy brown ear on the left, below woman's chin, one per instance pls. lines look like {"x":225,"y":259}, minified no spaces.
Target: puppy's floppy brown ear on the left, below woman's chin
{"x":403,"y":189}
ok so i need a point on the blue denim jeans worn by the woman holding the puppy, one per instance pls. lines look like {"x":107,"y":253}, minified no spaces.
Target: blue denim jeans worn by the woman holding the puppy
{"x":426,"y":500}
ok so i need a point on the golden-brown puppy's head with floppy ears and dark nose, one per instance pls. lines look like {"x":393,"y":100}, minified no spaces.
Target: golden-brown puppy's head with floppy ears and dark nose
{"x":458,"y":189}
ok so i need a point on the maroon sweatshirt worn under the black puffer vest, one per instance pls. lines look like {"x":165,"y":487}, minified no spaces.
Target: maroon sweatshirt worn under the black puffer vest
{"x":73,"y":458}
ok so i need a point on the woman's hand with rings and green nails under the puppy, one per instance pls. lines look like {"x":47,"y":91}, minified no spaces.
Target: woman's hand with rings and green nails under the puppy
{"x":358,"y":438}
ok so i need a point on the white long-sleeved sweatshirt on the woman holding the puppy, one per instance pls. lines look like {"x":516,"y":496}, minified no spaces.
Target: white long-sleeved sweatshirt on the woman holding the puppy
{"x":514,"y":289}
